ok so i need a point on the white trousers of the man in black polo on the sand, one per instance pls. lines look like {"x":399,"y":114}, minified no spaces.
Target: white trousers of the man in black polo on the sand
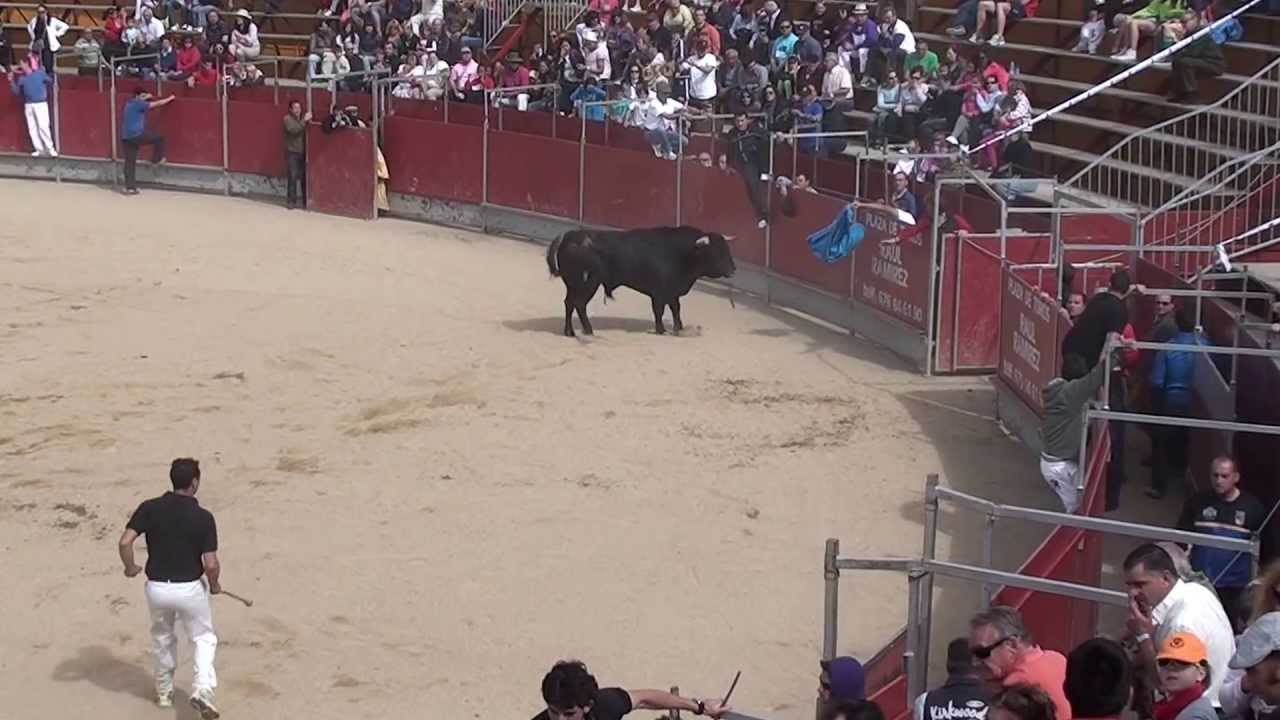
{"x":170,"y":603}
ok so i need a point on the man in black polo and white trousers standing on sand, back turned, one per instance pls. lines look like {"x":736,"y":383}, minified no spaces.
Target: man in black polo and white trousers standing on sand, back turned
{"x":182,"y":546}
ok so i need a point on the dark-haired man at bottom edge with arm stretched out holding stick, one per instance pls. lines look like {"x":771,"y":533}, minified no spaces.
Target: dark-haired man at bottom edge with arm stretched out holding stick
{"x":572,"y":694}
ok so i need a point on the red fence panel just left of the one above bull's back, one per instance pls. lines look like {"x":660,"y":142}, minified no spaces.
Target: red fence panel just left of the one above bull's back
{"x":533,"y":174}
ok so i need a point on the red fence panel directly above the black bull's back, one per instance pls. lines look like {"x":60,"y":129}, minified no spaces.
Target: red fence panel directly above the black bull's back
{"x":624,"y":189}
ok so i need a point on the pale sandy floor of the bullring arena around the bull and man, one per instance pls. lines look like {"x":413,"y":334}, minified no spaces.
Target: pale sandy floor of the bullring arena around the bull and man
{"x":428,"y":491}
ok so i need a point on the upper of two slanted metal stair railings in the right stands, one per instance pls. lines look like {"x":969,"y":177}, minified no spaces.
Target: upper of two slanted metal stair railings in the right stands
{"x":1155,"y":167}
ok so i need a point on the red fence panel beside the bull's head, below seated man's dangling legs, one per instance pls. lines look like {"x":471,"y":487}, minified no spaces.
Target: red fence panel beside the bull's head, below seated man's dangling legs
{"x":716,"y":200}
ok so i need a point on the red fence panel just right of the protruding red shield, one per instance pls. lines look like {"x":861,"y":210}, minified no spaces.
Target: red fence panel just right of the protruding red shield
{"x":433,"y":160}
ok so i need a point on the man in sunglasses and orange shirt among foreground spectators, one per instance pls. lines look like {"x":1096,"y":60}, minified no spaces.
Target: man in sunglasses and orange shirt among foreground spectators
{"x":1009,"y":655}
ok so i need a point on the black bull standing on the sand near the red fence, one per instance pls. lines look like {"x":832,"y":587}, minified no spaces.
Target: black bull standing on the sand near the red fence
{"x":662,"y":263}
